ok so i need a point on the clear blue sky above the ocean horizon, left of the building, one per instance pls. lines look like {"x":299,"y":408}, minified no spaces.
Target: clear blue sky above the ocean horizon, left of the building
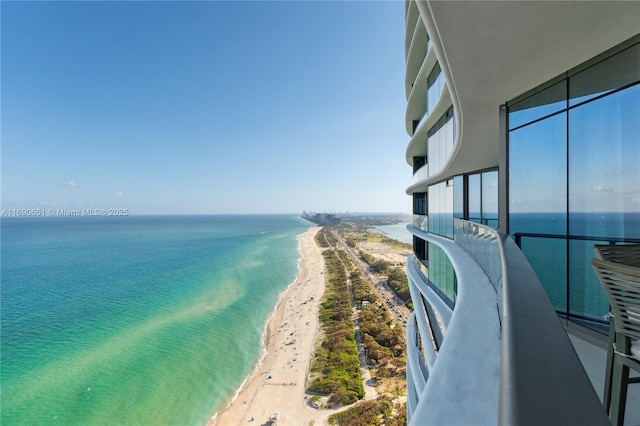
{"x":204,"y":107}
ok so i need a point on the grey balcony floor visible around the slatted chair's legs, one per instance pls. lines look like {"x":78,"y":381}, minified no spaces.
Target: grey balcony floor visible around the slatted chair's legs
{"x":592,"y":351}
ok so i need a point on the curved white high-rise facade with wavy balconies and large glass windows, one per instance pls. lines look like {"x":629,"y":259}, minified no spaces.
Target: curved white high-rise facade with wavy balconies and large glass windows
{"x":524,"y":126}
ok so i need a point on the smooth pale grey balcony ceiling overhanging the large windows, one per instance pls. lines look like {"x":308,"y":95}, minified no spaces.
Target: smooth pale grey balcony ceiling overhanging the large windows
{"x":493,"y":51}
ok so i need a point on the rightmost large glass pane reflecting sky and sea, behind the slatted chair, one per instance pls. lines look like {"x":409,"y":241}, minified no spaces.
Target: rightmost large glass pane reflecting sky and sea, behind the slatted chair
{"x":604,"y":188}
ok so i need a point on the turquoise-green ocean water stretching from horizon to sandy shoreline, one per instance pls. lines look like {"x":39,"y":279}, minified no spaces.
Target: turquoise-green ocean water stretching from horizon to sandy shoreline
{"x":136,"y":320}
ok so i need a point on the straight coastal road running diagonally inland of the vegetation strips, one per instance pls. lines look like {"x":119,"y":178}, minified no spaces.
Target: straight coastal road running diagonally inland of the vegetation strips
{"x":395,"y":305}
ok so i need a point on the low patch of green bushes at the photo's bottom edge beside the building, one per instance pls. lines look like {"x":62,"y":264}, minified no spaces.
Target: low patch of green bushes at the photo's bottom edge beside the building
{"x":377,"y":412}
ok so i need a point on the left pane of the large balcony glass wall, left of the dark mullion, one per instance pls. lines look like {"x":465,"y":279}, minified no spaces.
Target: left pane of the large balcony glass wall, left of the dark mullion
{"x":537,"y":200}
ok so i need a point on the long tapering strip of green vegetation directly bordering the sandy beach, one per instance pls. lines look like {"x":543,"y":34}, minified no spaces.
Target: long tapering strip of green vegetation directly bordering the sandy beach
{"x":336,"y":365}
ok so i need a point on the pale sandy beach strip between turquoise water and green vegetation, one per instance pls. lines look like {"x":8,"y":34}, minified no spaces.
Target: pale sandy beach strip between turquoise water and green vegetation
{"x":279,"y":383}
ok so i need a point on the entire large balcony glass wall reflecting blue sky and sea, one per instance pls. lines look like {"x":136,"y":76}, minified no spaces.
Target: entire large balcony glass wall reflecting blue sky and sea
{"x":574,"y":179}
